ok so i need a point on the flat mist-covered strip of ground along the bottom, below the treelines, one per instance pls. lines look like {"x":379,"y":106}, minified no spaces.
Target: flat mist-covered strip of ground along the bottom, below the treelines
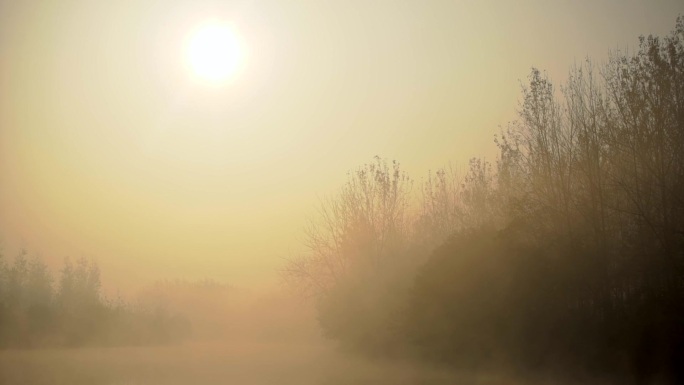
{"x":245,"y":363}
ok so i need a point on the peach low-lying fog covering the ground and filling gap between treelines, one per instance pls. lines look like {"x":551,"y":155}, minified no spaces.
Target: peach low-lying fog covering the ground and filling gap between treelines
{"x":252,"y":339}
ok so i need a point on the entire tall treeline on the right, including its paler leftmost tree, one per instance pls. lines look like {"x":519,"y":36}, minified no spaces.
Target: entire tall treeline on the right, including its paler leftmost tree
{"x":565,"y":254}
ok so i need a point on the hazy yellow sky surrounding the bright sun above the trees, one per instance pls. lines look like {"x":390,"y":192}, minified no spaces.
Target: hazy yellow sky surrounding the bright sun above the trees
{"x":110,"y":148}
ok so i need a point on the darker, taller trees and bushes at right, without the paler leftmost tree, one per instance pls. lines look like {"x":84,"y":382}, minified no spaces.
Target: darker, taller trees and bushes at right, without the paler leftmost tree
{"x":586,"y":270}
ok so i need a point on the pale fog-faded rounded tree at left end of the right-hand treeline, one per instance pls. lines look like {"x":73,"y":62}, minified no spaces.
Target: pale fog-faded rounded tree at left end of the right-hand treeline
{"x":358,"y":252}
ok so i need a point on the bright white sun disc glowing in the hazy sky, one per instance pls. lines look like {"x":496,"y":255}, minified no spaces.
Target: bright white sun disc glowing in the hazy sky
{"x":214,"y":52}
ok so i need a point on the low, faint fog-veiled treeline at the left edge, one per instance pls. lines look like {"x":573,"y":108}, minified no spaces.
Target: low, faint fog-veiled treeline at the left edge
{"x":39,"y":309}
